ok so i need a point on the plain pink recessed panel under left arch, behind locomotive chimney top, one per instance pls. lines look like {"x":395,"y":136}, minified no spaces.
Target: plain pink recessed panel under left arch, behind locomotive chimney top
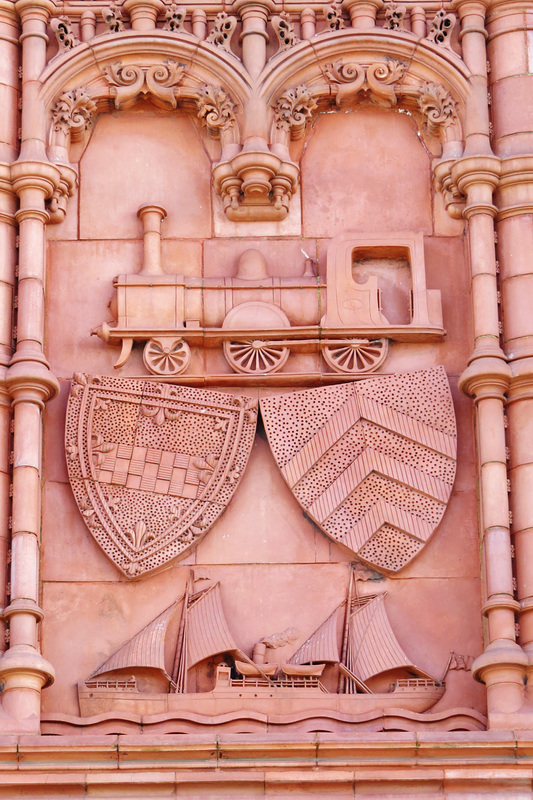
{"x":137,"y":157}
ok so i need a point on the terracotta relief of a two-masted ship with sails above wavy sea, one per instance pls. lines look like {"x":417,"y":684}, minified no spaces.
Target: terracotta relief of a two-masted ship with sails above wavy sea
{"x":354,"y":650}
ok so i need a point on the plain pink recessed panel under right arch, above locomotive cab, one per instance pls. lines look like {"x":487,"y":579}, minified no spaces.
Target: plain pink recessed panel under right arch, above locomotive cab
{"x":367,"y":171}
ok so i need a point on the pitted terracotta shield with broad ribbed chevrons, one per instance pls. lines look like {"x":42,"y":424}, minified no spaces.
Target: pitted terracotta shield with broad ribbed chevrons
{"x":372,"y":463}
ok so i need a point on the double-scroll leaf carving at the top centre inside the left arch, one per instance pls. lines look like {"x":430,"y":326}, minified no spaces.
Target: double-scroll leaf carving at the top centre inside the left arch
{"x":129,"y":81}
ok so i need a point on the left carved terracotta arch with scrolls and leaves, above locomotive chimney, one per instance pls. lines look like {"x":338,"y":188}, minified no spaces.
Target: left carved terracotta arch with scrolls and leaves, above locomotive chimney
{"x":174,"y":71}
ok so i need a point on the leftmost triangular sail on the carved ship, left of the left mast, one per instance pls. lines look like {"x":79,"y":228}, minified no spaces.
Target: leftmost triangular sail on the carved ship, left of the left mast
{"x":145,"y":649}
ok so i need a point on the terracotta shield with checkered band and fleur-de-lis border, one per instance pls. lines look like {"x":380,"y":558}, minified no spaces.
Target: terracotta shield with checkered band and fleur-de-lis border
{"x":152,"y":466}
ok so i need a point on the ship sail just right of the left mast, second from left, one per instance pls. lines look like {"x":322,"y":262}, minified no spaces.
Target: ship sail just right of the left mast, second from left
{"x":207,"y":632}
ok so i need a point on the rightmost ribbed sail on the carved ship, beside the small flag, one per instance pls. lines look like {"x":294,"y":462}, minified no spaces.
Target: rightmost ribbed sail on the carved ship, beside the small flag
{"x":372,"y":645}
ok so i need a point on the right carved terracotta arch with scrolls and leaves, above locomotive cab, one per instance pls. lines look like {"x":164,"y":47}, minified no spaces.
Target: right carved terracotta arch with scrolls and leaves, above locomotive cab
{"x":394,"y":69}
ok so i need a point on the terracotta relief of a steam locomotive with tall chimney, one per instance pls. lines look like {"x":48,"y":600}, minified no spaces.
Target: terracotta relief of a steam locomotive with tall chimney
{"x":375,"y":291}
